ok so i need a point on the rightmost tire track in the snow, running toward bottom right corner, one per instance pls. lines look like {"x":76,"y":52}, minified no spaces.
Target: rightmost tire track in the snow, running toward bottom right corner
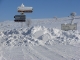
{"x":63,"y":53}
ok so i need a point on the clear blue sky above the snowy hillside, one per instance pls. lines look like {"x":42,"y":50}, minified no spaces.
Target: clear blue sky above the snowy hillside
{"x":41,"y":8}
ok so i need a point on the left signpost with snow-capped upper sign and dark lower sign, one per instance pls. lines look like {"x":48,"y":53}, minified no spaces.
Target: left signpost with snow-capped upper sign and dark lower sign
{"x":22,"y":18}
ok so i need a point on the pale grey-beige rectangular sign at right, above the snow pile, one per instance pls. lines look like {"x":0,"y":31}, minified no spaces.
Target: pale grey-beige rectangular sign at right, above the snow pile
{"x":67,"y":27}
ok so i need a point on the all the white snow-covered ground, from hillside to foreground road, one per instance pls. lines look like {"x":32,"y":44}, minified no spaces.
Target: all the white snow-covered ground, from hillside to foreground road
{"x":43,"y":40}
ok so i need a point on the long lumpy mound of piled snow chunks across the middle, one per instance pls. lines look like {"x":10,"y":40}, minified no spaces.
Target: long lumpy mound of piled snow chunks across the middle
{"x":38,"y":35}
